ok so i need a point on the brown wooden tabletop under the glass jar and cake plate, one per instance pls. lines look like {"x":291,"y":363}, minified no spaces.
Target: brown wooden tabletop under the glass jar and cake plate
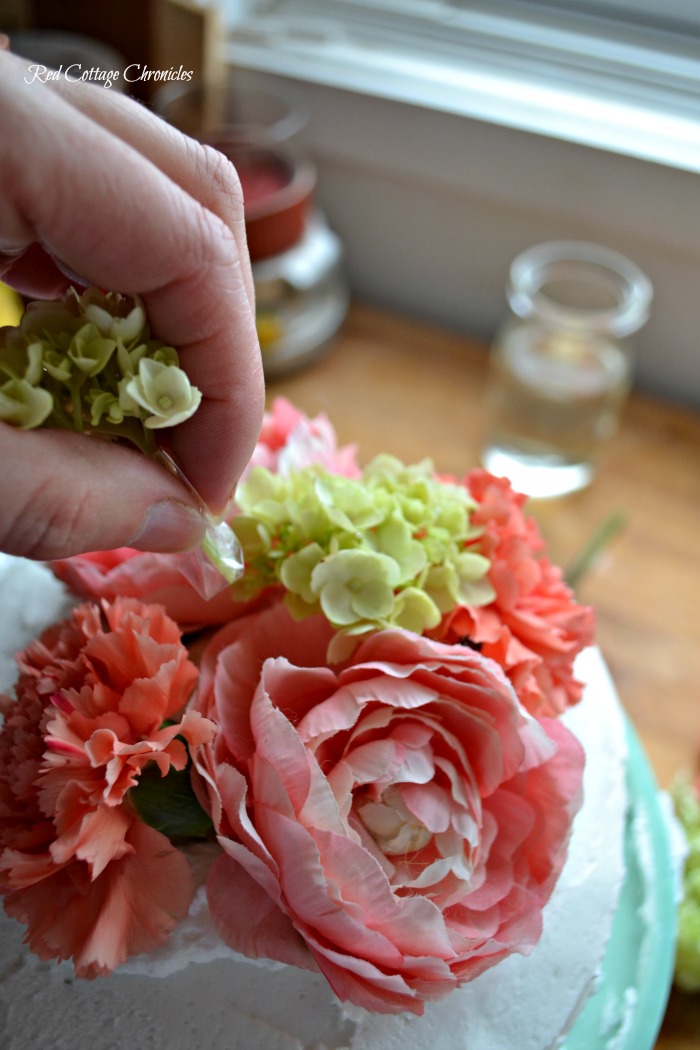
{"x":392,"y":385}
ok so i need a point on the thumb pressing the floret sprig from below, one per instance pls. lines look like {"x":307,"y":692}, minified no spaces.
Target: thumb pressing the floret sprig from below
{"x":66,"y":494}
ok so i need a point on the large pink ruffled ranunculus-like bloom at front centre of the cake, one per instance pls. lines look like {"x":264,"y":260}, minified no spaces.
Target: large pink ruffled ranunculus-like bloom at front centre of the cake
{"x":397,"y":824}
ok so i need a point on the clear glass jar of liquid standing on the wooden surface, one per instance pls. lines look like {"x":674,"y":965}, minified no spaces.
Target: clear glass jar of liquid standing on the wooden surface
{"x":561,"y":365}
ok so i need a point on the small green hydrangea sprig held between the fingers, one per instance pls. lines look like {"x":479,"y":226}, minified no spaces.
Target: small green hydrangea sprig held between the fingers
{"x":89,"y":364}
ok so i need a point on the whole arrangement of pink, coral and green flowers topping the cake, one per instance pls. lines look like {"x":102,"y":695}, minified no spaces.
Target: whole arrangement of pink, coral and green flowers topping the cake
{"x":366,"y":726}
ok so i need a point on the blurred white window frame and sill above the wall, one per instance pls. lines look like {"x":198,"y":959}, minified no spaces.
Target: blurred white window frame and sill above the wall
{"x":622,"y":75}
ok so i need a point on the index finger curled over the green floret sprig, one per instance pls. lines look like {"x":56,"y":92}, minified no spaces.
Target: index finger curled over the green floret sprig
{"x":114,"y":217}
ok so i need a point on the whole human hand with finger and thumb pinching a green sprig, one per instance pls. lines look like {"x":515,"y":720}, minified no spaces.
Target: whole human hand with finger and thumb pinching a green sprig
{"x":97,"y":191}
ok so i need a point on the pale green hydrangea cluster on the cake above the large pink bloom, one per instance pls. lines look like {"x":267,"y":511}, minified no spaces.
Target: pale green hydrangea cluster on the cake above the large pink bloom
{"x":390,"y":549}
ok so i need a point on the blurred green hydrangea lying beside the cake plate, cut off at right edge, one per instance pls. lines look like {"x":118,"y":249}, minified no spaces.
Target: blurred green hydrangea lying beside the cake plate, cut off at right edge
{"x":687,"y":803}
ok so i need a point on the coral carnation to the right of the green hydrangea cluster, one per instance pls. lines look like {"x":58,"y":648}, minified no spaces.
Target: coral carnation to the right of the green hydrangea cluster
{"x":535,"y":628}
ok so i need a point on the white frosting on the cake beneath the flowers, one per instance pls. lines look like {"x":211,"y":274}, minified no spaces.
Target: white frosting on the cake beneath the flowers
{"x":197,"y":992}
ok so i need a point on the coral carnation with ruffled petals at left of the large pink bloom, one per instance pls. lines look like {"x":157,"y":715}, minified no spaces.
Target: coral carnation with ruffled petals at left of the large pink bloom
{"x":91,"y":881}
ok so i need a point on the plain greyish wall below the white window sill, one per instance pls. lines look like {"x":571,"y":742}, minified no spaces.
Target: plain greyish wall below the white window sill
{"x":433,"y":207}
